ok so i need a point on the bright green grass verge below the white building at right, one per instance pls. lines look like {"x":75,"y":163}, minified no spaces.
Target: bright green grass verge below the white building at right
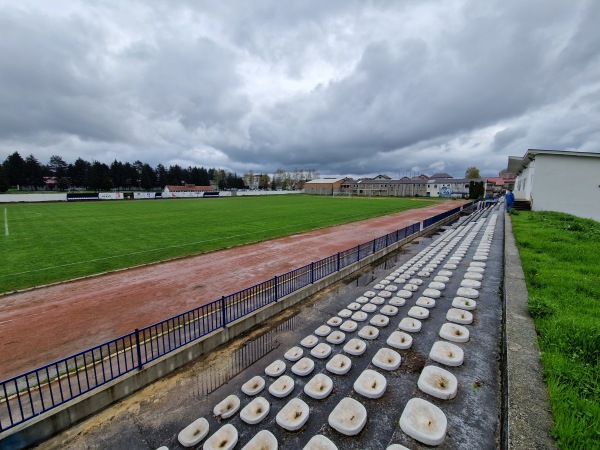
{"x":561,"y":259}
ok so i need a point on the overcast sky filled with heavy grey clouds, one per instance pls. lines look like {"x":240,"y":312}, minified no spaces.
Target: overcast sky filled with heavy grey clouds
{"x":344,"y":87}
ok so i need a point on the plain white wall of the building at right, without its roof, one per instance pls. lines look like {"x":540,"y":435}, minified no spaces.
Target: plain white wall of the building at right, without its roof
{"x":568,"y":184}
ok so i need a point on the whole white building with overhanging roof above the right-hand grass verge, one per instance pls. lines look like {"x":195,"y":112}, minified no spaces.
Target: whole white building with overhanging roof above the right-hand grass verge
{"x":562,"y":181}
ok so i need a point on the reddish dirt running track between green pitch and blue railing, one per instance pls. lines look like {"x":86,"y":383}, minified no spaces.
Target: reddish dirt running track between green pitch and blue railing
{"x":46,"y":324}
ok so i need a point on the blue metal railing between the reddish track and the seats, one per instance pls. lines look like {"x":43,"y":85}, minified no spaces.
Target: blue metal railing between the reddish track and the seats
{"x":28,"y":395}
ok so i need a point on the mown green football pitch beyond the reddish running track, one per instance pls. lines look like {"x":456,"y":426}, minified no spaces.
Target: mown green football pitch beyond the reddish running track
{"x":48,"y":242}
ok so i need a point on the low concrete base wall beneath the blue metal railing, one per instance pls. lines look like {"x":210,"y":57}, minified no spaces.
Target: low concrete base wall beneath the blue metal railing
{"x":60,"y":418}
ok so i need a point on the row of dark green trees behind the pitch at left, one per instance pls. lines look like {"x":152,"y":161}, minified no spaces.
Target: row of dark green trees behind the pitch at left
{"x":28,"y":173}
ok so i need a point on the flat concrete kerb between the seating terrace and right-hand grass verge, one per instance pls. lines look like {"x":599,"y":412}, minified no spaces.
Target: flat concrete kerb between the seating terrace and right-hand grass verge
{"x":529,"y":418}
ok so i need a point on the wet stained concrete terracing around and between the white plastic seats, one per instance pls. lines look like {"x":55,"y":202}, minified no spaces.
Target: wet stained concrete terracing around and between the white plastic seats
{"x":154,"y":416}
